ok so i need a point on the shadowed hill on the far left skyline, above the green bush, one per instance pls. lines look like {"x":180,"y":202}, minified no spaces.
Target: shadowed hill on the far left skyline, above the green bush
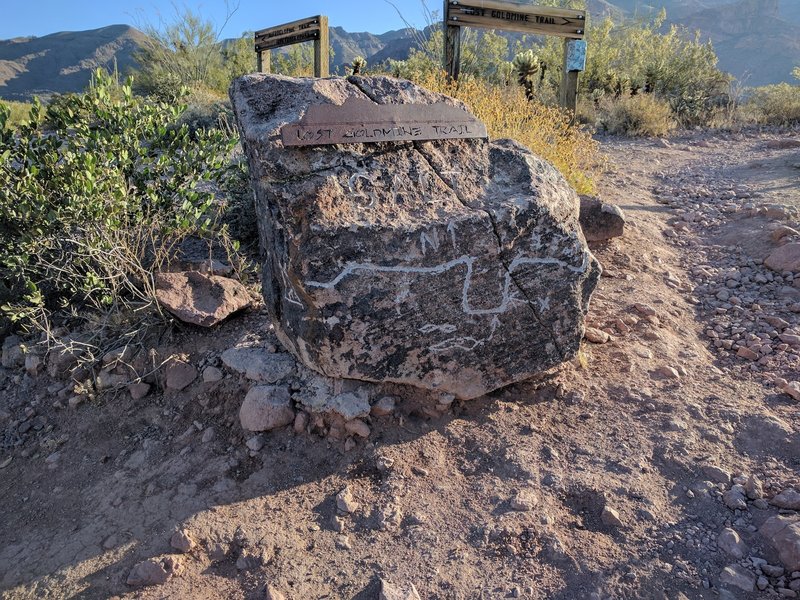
{"x":63,"y":62}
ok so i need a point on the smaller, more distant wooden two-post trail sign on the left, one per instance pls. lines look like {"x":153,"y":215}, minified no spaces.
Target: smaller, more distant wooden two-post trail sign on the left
{"x":305,"y":30}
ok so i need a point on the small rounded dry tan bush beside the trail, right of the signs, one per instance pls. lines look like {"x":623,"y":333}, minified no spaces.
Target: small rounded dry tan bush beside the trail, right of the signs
{"x":640,"y":115}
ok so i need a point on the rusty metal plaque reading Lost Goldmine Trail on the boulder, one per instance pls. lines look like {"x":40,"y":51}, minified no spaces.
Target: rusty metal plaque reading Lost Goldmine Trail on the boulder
{"x":363,"y":122}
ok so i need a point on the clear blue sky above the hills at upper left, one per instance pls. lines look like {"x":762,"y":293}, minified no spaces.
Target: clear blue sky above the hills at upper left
{"x":40,"y":17}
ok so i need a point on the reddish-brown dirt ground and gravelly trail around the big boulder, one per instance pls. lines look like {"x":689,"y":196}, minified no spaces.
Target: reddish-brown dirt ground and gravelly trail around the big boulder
{"x":601,"y":480}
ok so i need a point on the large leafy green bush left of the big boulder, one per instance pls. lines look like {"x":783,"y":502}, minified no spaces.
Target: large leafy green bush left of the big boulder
{"x":93,"y":204}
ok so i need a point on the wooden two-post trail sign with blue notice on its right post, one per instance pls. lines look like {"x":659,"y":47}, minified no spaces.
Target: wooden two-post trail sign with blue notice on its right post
{"x":510,"y":16}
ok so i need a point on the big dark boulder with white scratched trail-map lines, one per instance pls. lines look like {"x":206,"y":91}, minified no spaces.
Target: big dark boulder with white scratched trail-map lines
{"x":455,"y":265}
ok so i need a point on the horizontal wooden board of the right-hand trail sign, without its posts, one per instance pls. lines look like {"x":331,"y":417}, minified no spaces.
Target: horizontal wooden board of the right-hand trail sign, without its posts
{"x":492,"y":14}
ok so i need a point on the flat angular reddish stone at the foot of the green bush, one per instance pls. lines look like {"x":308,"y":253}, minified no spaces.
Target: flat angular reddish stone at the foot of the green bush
{"x":200,"y":299}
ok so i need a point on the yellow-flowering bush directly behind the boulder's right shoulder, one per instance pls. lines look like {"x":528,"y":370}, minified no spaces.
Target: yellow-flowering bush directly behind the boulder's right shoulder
{"x":548,"y":131}
